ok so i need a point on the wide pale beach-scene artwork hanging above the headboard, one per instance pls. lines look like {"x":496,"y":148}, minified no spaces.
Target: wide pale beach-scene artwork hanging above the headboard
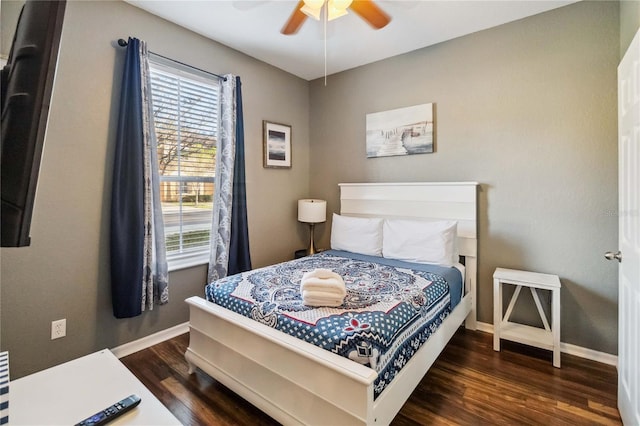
{"x":402,"y":131}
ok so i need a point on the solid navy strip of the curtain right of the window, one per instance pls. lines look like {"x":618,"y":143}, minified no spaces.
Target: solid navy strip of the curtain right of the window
{"x":239,"y":257}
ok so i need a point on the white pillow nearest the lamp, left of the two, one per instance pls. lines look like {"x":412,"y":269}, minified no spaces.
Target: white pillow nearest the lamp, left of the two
{"x":357,"y":235}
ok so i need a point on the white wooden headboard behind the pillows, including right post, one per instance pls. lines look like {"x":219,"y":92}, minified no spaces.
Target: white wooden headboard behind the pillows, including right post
{"x":422,"y":200}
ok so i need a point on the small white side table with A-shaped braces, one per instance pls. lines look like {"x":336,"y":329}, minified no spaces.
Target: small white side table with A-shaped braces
{"x":545,"y":338}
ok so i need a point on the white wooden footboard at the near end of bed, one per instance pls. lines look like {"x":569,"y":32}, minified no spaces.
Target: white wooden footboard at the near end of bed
{"x":291,"y":380}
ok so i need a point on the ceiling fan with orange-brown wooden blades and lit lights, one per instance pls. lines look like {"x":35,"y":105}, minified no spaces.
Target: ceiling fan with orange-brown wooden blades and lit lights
{"x":366,"y":9}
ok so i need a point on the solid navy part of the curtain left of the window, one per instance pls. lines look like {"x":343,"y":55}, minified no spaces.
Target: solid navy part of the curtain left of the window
{"x":127,"y":209}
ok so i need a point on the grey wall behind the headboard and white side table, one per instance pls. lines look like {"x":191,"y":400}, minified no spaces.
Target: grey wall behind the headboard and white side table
{"x":527,"y":109}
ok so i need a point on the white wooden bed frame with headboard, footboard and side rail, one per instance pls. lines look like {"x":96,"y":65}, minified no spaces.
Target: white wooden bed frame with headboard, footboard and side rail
{"x":296,"y":382}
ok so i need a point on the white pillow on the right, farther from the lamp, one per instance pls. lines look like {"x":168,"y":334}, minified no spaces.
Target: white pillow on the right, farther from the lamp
{"x":421,"y":241}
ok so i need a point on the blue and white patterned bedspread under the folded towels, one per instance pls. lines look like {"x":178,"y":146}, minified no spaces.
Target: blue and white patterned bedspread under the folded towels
{"x":390,"y":310}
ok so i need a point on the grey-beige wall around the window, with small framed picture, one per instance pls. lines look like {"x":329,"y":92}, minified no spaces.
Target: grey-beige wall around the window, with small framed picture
{"x":65,"y":271}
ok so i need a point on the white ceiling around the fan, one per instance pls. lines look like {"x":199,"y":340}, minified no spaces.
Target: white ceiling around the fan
{"x":253,"y":27}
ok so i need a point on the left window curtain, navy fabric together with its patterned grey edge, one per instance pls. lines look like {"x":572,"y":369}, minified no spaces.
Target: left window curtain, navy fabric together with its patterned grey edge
{"x":138,"y":261}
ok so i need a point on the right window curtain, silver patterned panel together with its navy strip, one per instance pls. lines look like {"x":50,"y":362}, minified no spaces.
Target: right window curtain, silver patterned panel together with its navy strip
{"x":230,"y":183}
